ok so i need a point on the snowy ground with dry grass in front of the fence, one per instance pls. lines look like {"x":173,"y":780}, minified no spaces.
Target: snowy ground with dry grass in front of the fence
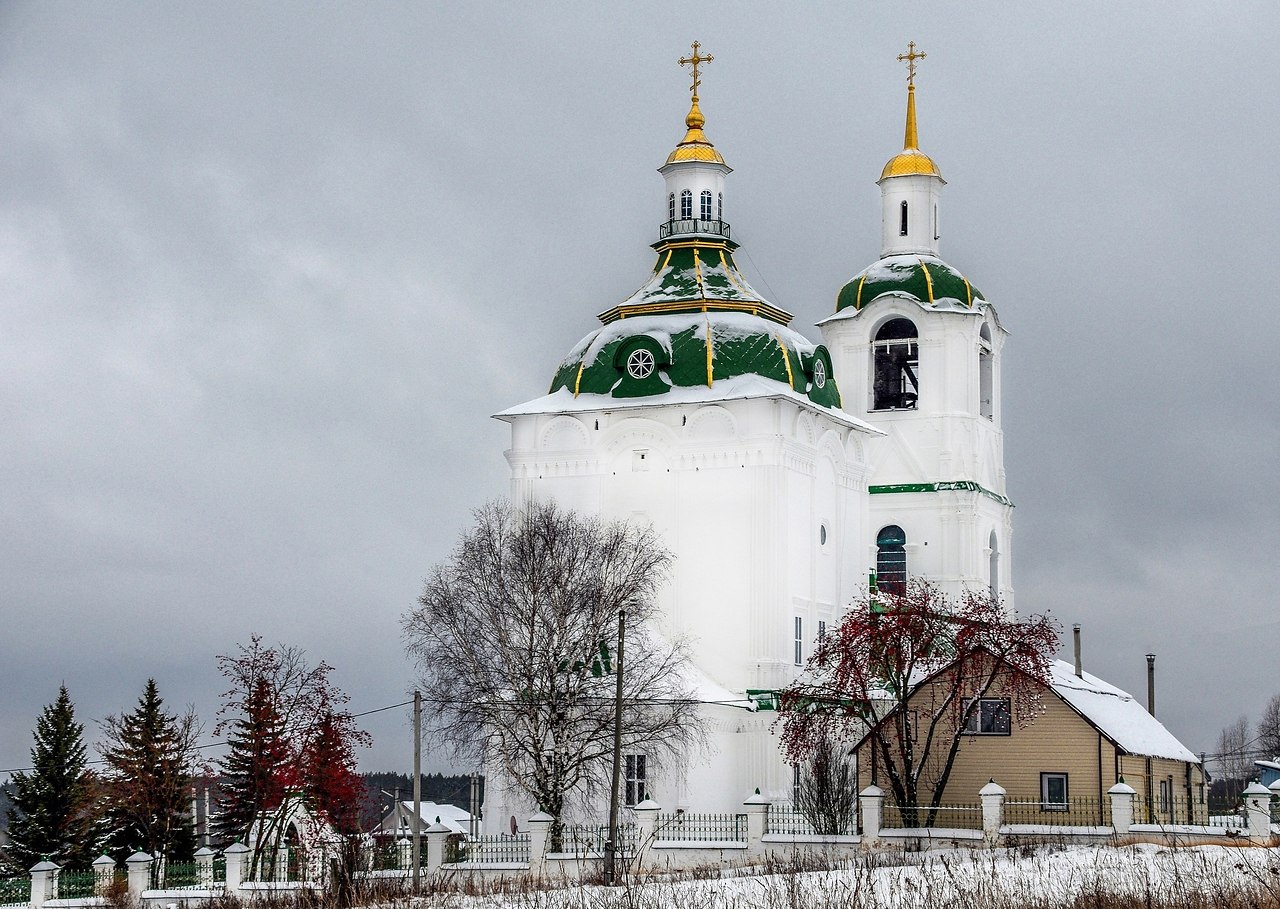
{"x":1007,"y":879}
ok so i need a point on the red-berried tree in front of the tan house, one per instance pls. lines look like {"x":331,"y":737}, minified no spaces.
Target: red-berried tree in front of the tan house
{"x":907,"y":674}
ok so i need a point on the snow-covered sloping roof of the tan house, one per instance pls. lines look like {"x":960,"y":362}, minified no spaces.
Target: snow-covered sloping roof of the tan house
{"x":1117,"y":714}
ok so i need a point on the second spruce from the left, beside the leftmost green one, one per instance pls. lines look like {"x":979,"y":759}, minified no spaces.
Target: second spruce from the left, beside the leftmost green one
{"x":150,"y":755}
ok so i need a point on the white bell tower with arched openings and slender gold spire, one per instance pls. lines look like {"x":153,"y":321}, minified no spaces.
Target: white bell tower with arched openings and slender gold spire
{"x":917,"y":351}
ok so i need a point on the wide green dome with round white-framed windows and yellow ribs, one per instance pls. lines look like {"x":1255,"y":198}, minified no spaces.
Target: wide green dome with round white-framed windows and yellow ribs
{"x":651,"y":355}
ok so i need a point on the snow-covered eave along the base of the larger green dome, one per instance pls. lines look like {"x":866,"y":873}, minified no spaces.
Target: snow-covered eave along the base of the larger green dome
{"x":738,"y":389}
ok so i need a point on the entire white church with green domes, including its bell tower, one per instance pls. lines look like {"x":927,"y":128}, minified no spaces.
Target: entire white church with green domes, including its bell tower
{"x":780,"y":471}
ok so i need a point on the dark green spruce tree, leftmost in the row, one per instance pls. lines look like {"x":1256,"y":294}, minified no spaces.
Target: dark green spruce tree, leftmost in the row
{"x":54,"y":812}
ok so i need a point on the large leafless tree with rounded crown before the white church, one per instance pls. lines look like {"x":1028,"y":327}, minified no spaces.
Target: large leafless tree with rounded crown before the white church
{"x":513,"y":642}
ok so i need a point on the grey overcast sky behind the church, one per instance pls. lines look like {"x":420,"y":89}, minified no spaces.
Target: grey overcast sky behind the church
{"x":268,"y":269}
